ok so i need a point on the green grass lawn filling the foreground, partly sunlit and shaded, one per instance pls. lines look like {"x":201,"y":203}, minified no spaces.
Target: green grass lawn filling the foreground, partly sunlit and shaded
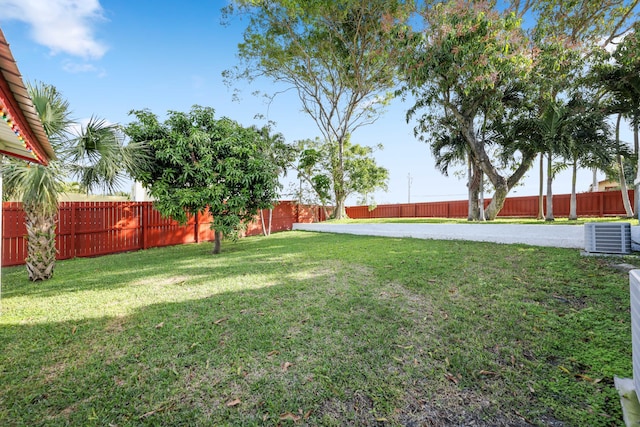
{"x":318,"y":329}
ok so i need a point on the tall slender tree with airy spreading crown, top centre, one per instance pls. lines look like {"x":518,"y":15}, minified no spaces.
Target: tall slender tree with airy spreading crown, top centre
{"x":340,"y":56}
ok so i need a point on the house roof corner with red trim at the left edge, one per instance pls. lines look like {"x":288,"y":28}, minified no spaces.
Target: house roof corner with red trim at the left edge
{"x":21,"y":132}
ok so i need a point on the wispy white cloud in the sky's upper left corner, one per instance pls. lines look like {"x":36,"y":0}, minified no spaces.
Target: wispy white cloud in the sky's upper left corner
{"x":61,"y":25}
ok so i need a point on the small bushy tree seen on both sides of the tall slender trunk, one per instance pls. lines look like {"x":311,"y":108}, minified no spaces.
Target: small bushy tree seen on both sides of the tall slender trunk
{"x":316,"y":167}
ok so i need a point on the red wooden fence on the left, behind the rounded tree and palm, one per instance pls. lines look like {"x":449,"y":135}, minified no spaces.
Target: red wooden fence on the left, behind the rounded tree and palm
{"x":87,"y":229}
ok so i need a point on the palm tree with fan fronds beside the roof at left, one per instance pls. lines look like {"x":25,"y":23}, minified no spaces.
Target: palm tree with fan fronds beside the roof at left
{"x":95,"y":154}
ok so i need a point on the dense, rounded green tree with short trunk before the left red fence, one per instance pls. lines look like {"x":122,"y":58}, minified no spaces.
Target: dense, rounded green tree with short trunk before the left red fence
{"x":198,"y":162}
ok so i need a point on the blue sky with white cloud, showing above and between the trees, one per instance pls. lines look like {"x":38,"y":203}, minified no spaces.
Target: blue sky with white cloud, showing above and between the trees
{"x":109,"y":57}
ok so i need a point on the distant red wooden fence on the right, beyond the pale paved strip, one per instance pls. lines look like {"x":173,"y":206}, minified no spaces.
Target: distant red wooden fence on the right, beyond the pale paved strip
{"x":602,"y":203}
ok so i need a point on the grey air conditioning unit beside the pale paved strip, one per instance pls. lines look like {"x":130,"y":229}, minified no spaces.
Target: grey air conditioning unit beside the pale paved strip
{"x":608,"y":237}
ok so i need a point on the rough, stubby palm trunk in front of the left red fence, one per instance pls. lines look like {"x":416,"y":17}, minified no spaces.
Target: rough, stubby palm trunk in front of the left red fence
{"x":41,"y":243}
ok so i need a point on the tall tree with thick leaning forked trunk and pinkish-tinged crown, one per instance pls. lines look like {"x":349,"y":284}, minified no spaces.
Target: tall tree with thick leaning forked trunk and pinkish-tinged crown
{"x":463,"y":66}
